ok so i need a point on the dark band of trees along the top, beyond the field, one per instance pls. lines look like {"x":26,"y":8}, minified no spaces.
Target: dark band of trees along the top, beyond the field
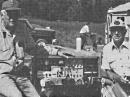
{"x":68,"y":10}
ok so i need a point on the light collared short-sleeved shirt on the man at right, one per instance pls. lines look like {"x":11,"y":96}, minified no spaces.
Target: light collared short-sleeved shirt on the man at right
{"x":117,"y":59}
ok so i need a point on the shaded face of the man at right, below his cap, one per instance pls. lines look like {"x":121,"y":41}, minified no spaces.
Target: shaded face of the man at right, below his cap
{"x":118,"y":33}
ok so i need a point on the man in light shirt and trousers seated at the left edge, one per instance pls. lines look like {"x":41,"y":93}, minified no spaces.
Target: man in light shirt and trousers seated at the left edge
{"x":11,"y":53}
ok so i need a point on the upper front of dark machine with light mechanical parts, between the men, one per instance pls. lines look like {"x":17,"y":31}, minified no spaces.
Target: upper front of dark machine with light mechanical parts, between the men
{"x":58,"y":69}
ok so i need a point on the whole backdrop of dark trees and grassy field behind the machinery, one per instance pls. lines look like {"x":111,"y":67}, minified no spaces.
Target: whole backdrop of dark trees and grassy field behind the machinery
{"x":68,"y":16}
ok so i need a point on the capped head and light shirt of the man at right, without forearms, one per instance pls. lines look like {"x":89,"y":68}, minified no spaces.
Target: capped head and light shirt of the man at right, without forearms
{"x":116,"y":54}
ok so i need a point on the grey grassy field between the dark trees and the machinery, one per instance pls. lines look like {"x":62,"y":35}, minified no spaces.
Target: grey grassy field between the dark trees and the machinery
{"x":67,"y":31}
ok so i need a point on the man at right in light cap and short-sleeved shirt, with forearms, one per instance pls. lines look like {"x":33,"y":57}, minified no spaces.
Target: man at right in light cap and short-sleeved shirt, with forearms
{"x":116,"y":56}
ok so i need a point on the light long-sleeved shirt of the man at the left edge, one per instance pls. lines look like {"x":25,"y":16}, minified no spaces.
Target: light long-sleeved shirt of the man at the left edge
{"x":9,"y":51}
